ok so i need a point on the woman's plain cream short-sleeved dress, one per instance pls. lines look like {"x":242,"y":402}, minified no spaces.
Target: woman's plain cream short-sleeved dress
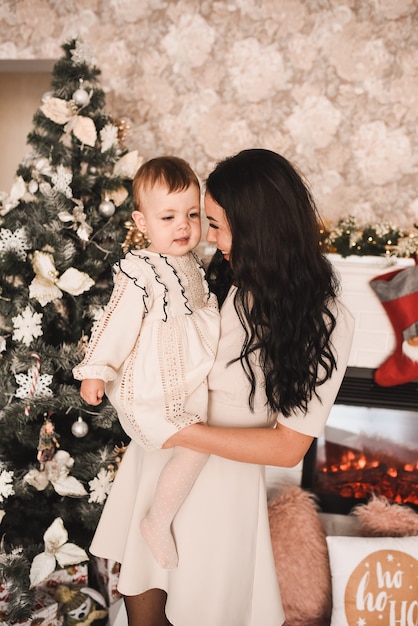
{"x":226,"y":574}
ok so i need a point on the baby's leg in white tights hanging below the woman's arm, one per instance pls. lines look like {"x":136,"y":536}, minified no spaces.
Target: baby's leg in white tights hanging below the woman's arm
{"x":175,"y":482}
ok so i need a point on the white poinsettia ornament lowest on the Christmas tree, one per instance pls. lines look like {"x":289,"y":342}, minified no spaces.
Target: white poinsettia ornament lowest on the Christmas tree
{"x":57,"y":550}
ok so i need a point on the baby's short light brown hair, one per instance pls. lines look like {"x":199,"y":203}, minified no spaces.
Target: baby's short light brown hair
{"x":169,"y":171}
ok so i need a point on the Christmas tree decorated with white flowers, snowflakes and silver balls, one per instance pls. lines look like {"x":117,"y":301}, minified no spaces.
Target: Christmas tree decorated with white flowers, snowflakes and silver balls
{"x":62,"y":226}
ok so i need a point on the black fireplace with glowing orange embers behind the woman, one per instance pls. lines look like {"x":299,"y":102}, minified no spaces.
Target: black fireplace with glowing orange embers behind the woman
{"x":370,"y":446}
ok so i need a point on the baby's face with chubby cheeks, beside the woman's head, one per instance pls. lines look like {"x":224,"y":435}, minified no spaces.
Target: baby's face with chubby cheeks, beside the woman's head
{"x":171,"y":220}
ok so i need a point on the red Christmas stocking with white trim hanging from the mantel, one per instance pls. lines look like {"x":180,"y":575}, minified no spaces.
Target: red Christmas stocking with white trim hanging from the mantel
{"x":398,"y":294}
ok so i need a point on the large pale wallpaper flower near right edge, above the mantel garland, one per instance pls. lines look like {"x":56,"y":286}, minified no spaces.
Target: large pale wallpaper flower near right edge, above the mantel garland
{"x":382,"y":154}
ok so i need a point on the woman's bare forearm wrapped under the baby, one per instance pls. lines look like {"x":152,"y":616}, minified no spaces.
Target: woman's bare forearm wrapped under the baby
{"x":279,"y":446}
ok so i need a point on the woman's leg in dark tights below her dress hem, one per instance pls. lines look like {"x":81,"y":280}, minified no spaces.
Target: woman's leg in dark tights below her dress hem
{"x":147,"y":609}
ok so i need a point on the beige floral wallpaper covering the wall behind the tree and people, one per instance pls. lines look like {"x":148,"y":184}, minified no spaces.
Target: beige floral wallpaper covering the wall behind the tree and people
{"x":331,"y":84}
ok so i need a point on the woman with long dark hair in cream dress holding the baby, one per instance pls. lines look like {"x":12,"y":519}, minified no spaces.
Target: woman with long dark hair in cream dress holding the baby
{"x":284,"y":344}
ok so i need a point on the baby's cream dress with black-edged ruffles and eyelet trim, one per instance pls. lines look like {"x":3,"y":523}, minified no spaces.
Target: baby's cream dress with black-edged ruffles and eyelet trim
{"x":155,"y":345}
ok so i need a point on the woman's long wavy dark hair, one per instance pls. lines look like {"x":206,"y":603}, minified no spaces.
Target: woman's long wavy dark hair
{"x":285,"y":284}
